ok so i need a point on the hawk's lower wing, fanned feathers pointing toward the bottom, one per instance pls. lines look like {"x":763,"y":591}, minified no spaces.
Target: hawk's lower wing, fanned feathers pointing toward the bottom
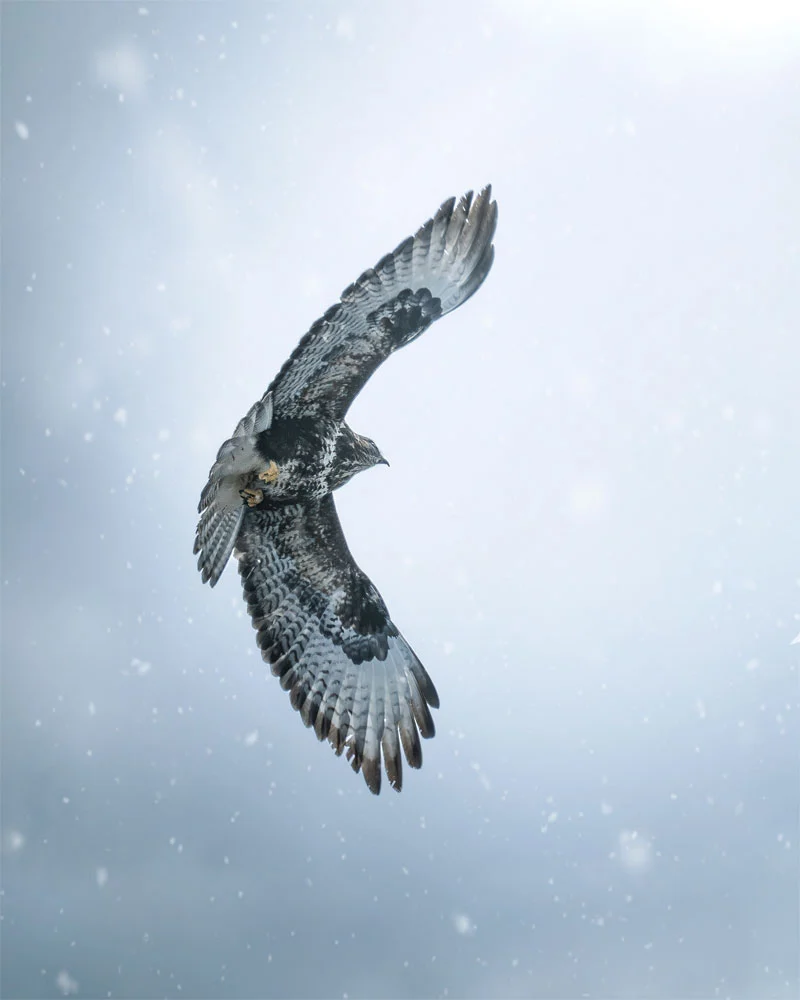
{"x":325,"y":631}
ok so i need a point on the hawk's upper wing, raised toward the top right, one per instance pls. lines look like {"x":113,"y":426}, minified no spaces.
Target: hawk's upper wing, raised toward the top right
{"x":428,"y":275}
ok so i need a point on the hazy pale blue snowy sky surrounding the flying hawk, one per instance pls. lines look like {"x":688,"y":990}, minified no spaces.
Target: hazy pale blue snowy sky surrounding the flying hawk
{"x":589,"y":531}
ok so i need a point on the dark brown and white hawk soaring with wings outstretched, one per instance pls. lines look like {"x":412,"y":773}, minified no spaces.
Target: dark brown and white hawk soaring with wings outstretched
{"x":321,"y":624}
